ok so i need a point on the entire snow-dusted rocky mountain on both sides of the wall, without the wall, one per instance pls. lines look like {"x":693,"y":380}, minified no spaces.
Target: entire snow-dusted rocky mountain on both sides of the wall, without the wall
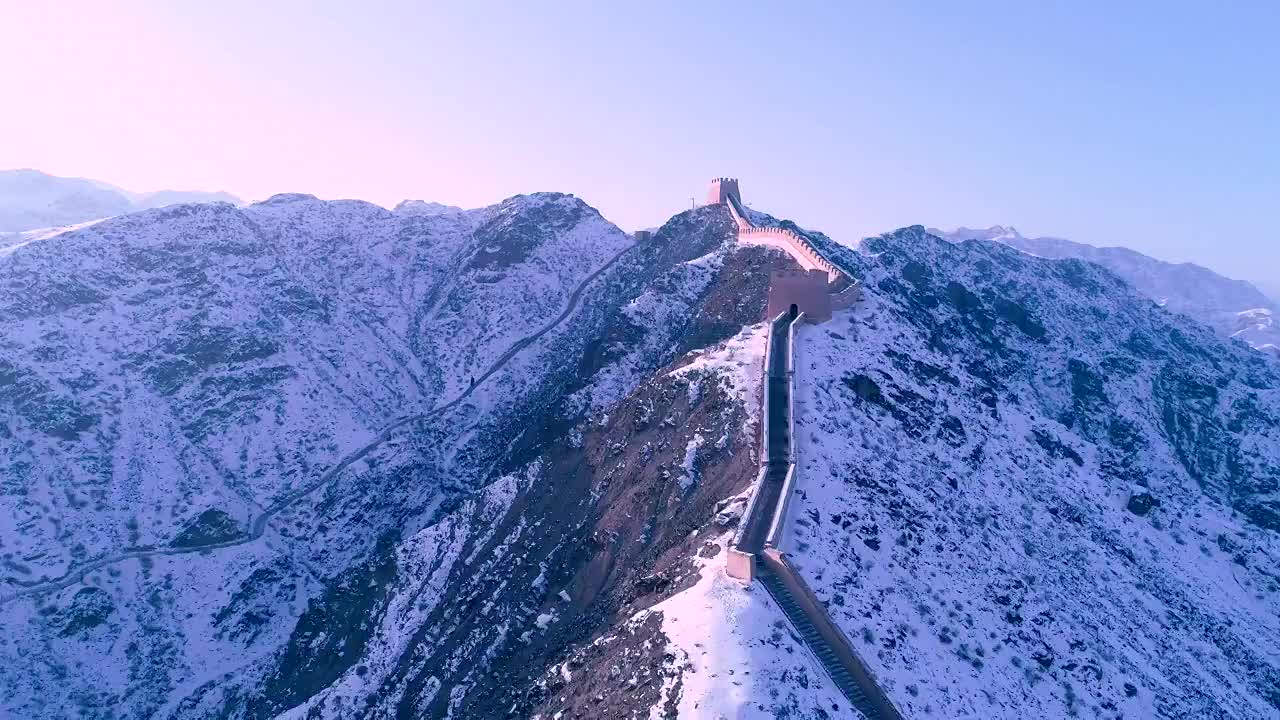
{"x":310,"y":459}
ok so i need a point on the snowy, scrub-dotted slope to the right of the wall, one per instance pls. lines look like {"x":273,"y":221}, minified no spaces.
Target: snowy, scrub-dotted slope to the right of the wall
{"x":1025,"y":494}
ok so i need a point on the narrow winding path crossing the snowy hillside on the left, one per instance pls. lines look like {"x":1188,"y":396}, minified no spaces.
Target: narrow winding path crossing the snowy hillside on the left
{"x":259,"y":527}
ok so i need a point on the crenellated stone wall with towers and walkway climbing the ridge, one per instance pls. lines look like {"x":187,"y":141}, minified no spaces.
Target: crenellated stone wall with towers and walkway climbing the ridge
{"x":796,"y":298}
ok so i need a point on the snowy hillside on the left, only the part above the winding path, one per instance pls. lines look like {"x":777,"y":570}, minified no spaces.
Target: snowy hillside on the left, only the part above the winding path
{"x":287,"y":338}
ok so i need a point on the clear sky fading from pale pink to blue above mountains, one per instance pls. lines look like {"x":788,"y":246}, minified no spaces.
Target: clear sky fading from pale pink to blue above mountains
{"x":1154,"y":126}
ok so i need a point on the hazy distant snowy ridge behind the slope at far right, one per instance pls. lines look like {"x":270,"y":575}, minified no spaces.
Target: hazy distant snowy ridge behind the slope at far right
{"x":1232,"y":308}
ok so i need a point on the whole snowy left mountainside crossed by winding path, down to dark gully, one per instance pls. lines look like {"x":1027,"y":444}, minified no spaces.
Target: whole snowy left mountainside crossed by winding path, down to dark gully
{"x":177,"y":377}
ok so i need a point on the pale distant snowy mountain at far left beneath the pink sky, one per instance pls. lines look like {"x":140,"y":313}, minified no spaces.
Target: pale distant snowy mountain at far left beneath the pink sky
{"x":33,"y":200}
